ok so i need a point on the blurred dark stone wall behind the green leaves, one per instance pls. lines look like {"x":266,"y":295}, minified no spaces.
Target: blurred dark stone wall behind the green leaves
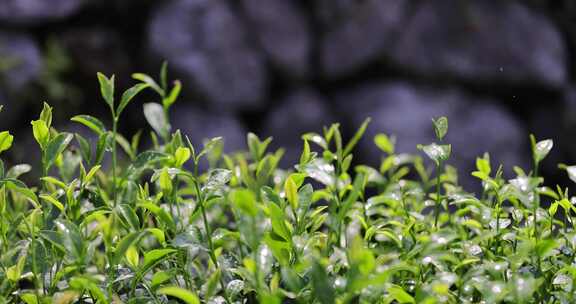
{"x":498,"y":69}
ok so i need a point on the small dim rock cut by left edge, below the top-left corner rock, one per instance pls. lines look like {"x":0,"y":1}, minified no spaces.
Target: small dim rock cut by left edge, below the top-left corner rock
{"x":20,"y":61}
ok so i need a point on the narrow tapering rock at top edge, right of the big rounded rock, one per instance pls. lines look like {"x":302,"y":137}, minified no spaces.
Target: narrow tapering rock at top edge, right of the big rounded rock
{"x":282,"y":32}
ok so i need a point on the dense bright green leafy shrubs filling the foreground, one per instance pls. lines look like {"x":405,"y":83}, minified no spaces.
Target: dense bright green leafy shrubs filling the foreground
{"x":183,"y":224}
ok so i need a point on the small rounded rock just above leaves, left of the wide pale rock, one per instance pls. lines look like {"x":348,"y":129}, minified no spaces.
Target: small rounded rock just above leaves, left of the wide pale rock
{"x":300,"y":112}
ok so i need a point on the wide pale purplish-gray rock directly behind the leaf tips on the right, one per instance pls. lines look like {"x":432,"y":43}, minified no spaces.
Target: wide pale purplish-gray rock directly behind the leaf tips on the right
{"x":476,"y":125}
